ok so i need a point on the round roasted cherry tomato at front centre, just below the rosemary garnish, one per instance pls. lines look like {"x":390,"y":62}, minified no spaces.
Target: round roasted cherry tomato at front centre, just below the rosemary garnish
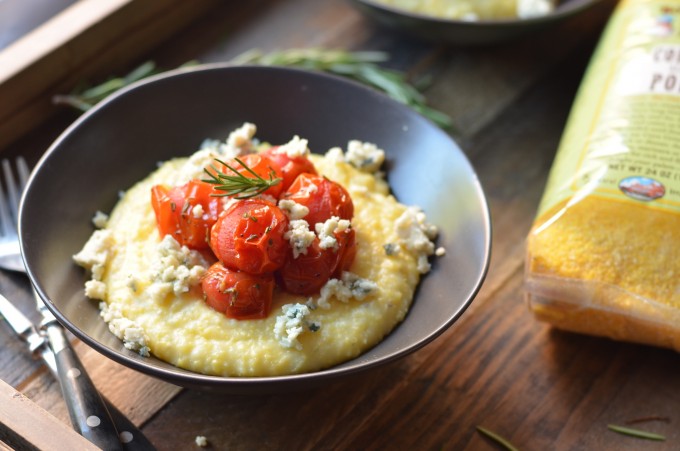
{"x":248,"y":236}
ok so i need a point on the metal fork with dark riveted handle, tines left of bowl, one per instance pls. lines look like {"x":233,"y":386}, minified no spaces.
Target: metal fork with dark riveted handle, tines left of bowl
{"x":90,"y":414}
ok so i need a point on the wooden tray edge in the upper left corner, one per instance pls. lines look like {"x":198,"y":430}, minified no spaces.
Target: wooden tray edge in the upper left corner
{"x":88,"y":40}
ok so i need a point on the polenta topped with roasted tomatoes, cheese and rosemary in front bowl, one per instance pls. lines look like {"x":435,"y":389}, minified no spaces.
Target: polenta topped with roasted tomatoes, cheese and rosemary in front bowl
{"x":292,"y":279}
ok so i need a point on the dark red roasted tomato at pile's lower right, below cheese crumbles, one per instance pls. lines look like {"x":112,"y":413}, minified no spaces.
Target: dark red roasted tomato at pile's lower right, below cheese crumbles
{"x":307,"y":273}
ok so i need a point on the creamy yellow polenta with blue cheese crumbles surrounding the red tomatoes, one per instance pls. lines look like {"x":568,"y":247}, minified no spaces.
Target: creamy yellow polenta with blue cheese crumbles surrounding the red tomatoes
{"x":150,"y":286}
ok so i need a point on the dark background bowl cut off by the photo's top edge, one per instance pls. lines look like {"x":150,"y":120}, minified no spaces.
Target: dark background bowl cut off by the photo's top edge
{"x":463,"y":32}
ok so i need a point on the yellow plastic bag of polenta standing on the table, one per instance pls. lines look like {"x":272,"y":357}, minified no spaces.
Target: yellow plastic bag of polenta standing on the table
{"x":603,"y":255}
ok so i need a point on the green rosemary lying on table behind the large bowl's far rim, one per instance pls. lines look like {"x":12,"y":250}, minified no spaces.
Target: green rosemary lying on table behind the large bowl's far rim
{"x":359,"y":66}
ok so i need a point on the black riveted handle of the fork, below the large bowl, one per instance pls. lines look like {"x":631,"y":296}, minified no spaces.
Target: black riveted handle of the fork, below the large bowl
{"x":87,"y":410}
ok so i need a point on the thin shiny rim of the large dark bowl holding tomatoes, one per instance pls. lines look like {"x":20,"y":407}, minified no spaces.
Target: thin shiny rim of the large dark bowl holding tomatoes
{"x":264,"y":384}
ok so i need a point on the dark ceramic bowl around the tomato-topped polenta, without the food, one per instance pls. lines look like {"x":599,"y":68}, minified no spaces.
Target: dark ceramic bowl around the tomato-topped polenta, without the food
{"x":120,"y":141}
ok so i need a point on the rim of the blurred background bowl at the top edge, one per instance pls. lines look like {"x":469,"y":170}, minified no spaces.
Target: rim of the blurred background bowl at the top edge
{"x":563,"y":9}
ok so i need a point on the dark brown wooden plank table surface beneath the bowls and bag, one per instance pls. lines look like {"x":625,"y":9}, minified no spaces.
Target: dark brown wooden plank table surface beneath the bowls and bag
{"x":496,"y":367}
